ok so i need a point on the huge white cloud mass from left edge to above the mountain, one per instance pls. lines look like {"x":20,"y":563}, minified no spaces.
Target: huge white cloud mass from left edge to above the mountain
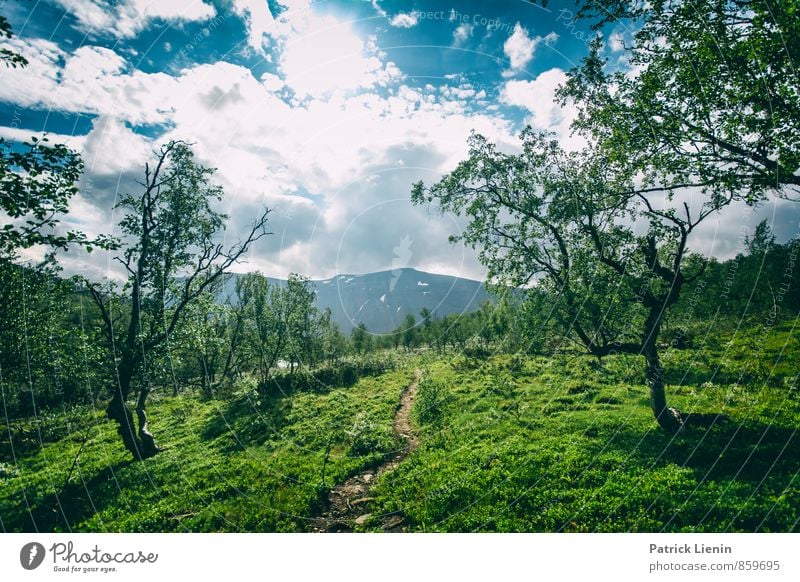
{"x":320,"y":163}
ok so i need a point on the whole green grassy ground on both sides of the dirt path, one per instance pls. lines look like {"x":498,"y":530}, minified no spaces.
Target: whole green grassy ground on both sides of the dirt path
{"x":512,"y":444}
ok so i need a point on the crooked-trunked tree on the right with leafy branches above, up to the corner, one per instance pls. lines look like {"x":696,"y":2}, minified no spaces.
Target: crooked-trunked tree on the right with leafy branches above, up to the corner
{"x":704,"y":113}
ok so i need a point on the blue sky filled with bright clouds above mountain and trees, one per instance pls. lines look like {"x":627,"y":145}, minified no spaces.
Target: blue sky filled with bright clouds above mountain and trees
{"x":324,"y":111}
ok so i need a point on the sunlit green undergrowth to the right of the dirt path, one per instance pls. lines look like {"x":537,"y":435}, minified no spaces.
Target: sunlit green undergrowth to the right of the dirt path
{"x":569,"y":444}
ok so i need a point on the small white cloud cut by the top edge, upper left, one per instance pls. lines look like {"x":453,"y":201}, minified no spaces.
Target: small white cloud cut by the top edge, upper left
{"x":126,"y":18}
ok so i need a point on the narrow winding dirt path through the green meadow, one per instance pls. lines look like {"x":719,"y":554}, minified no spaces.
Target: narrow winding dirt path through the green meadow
{"x":348,"y":502}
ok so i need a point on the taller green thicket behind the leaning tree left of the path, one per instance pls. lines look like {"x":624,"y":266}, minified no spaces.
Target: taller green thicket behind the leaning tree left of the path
{"x":54,"y":351}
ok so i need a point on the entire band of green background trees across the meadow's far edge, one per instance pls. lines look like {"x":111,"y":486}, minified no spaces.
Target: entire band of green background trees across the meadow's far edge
{"x":53,"y":350}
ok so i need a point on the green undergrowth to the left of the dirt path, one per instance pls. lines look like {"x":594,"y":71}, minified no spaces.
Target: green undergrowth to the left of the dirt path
{"x":242,"y":465}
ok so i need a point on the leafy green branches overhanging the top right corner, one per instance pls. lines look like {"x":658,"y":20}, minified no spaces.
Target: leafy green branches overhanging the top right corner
{"x":707,"y":94}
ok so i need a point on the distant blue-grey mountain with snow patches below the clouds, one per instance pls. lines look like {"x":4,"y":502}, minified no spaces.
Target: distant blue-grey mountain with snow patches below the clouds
{"x":382,"y":300}
